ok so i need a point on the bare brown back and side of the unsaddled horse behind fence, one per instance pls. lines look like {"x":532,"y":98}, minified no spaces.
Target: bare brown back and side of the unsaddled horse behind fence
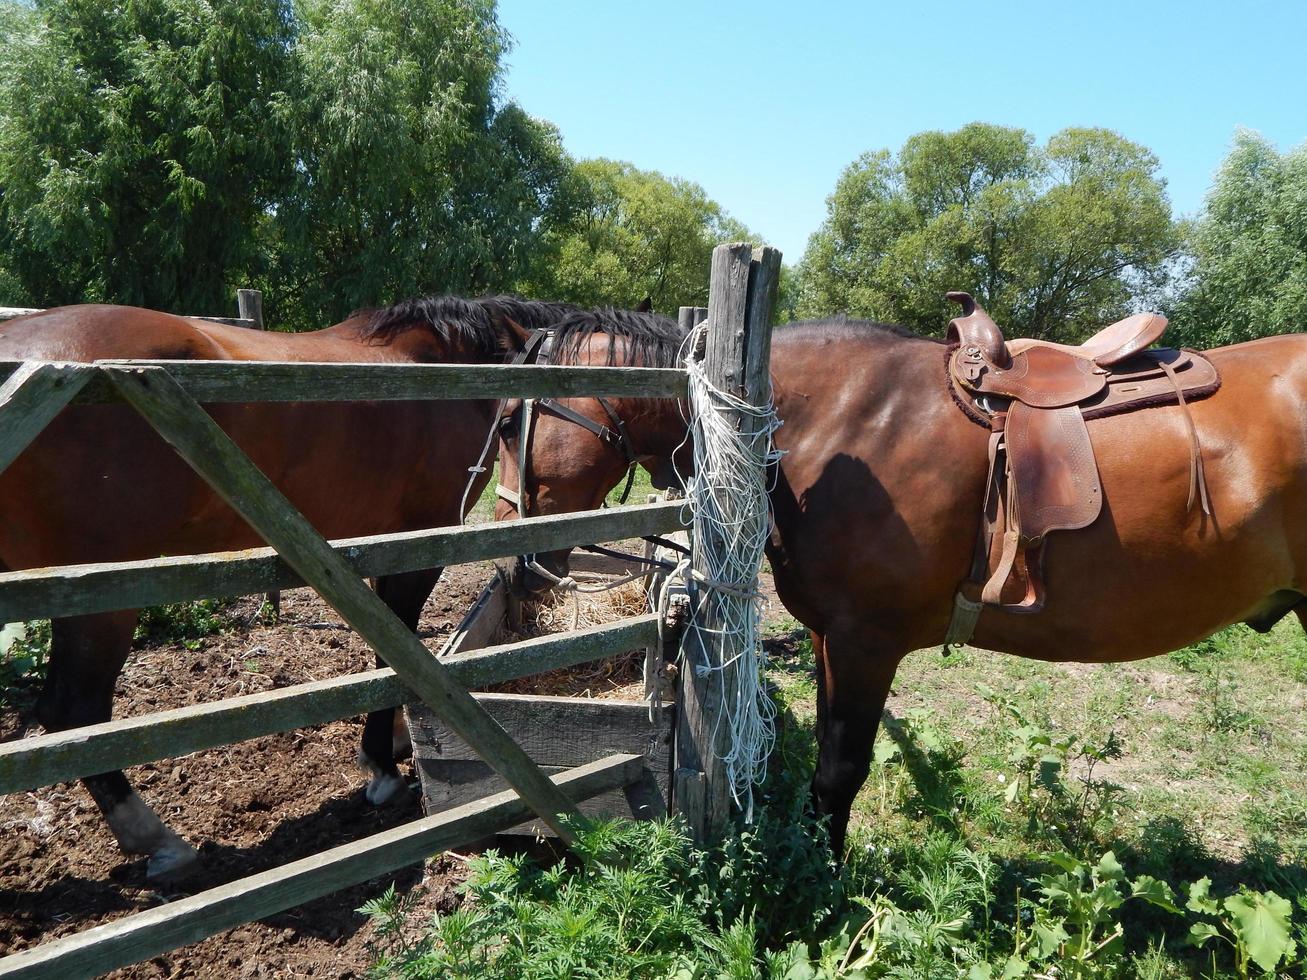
{"x":100,"y":485}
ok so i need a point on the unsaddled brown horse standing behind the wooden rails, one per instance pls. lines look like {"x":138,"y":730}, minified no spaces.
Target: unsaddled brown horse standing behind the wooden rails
{"x":100,"y":485}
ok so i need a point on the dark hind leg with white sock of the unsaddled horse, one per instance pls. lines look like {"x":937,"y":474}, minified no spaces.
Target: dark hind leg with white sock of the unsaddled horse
{"x":87,"y":654}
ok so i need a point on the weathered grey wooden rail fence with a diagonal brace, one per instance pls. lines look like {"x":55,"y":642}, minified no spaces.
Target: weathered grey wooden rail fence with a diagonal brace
{"x":169,"y":397}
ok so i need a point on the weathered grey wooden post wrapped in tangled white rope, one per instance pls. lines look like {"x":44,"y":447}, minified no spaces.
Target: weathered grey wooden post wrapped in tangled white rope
{"x":742,"y":296}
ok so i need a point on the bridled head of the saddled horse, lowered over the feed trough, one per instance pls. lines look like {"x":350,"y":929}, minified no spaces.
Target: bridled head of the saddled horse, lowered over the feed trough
{"x":565,"y":455}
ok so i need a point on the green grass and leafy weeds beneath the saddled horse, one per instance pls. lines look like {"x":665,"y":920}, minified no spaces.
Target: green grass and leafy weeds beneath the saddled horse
{"x":1021,"y":820}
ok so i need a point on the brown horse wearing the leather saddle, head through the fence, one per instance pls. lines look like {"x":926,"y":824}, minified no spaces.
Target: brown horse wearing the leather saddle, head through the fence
{"x":879,"y":497}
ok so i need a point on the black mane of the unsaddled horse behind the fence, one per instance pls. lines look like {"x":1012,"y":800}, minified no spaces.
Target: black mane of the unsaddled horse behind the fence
{"x":474,"y":321}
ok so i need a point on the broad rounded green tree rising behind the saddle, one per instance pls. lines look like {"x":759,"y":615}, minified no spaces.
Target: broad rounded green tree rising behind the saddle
{"x":1054,"y":241}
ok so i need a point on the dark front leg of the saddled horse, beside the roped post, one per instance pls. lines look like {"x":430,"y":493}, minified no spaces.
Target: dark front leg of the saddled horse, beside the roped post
{"x":854,"y":678}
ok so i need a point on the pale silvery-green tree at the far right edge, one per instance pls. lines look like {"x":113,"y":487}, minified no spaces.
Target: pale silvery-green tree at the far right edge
{"x":1249,"y":275}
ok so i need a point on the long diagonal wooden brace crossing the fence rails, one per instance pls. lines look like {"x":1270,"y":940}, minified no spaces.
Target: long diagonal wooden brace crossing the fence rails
{"x":232,"y":474}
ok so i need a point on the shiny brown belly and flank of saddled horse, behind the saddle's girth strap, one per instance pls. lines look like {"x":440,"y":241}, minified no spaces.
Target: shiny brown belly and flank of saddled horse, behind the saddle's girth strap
{"x":1153,"y":573}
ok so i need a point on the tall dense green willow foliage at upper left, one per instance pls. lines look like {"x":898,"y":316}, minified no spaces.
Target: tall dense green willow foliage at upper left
{"x":339,"y":154}
